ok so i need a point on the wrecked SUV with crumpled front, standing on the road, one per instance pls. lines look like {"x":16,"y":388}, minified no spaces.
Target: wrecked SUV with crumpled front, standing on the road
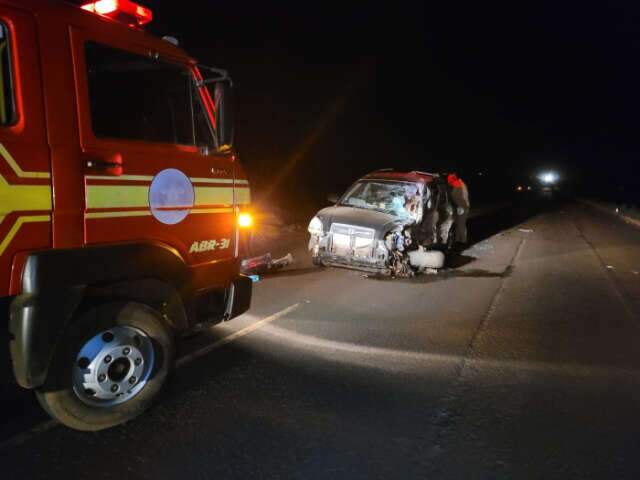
{"x":388,"y":223}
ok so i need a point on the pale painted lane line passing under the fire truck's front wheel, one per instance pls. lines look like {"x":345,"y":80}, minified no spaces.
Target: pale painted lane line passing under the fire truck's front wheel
{"x":43,"y":427}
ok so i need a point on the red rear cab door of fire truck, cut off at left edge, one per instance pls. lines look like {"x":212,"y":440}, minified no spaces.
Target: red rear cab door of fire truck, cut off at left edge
{"x":25,"y":179}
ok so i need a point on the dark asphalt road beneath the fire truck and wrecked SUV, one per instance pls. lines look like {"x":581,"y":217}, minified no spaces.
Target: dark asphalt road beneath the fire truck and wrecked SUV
{"x":519,"y":361}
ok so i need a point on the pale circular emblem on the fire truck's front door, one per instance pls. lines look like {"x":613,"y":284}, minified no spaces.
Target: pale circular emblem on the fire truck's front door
{"x":171,"y":196}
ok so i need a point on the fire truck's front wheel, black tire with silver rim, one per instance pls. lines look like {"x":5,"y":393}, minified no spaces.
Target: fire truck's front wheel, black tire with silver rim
{"x":109,"y":367}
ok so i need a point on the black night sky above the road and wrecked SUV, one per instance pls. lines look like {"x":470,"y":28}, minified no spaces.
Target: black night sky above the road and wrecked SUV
{"x":328,"y":91}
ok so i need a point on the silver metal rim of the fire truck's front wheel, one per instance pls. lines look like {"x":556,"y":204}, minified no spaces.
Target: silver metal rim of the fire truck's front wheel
{"x":113,"y":366}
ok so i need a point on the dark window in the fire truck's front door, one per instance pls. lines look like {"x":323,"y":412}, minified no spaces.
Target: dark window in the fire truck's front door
{"x":139,"y":98}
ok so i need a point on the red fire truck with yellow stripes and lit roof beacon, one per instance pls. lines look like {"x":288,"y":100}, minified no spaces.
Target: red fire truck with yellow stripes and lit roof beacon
{"x":122,"y":205}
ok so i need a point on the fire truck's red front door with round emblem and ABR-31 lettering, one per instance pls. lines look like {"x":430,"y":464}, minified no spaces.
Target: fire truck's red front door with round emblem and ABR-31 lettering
{"x":147,"y":148}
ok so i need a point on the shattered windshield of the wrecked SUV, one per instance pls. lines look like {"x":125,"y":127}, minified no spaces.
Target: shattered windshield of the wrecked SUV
{"x":401,"y":199}
